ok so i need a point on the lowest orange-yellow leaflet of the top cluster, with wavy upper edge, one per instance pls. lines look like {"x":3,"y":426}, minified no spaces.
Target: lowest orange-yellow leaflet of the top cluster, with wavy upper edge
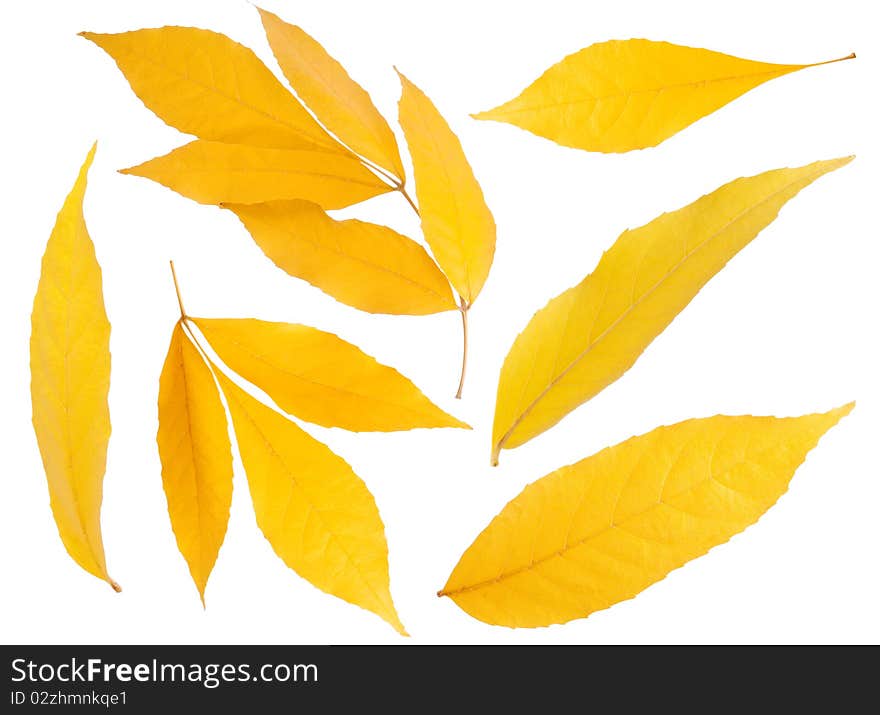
{"x":360,"y":264}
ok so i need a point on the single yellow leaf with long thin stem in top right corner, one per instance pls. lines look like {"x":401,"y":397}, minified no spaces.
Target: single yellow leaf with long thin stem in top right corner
{"x":621,"y":95}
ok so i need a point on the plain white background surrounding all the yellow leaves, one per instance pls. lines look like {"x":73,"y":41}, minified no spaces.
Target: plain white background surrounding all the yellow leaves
{"x":789,"y":327}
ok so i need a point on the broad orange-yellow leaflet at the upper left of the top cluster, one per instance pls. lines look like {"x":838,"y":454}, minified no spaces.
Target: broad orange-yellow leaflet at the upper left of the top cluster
{"x":204,"y":83}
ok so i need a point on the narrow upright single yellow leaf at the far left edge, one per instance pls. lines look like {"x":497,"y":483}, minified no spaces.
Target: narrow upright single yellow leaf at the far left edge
{"x":70,"y":380}
